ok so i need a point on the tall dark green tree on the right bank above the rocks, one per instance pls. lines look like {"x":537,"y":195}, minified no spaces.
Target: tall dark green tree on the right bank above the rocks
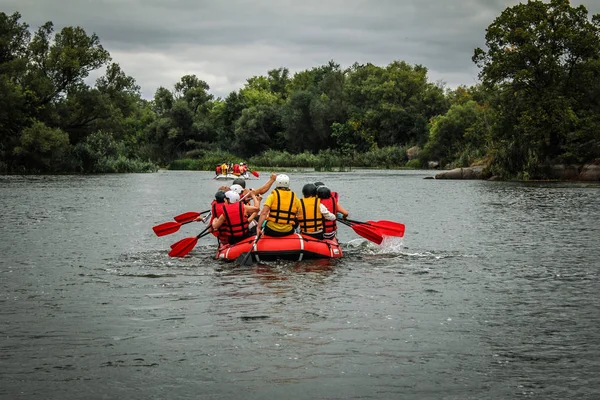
{"x":543,"y":58}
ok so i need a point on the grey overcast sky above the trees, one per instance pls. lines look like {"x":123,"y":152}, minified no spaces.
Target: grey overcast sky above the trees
{"x":224,"y":42}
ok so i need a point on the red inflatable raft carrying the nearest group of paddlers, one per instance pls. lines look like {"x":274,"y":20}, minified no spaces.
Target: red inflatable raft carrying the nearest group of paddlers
{"x":295,"y":247}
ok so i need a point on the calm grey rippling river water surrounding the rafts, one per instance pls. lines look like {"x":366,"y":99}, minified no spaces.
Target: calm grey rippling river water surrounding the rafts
{"x":492,"y":293}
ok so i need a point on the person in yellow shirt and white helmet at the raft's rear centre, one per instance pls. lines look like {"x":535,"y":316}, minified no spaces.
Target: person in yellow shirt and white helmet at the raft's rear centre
{"x":280,"y":211}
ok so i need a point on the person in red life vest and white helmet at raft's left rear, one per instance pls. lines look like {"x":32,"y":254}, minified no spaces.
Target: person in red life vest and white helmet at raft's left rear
{"x":233,"y":223}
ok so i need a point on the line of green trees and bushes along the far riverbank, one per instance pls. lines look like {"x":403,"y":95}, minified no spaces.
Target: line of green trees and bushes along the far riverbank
{"x":537,"y":104}
